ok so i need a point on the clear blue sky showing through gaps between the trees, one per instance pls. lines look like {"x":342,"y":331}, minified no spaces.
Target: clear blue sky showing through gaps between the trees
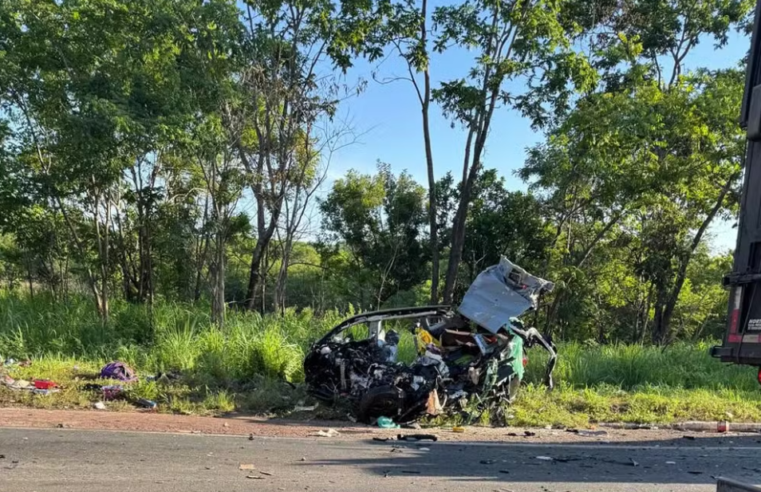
{"x":387,"y":120}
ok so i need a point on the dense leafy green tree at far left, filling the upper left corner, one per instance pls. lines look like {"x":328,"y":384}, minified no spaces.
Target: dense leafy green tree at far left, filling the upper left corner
{"x":96,"y":89}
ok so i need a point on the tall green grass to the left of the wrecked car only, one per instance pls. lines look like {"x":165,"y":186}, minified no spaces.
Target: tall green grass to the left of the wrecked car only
{"x":165,"y":337}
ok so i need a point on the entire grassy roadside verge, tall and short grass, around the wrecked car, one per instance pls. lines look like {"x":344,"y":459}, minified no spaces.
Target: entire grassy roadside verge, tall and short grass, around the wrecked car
{"x":245,"y":365}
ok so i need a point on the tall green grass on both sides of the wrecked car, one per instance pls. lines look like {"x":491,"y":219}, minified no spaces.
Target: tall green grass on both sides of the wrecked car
{"x":179,"y":337}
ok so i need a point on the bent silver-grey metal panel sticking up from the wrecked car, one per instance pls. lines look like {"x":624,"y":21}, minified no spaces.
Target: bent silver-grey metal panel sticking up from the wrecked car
{"x":501,"y":292}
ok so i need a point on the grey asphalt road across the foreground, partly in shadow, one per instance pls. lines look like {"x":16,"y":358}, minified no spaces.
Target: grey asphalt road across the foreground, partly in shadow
{"x":74,"y":460}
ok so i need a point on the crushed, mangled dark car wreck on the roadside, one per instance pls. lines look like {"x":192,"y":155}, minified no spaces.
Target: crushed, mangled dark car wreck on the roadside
{"x":474,"y":354}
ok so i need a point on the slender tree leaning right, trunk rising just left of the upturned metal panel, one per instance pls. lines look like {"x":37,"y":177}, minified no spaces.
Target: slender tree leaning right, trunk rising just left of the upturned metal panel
{"x":519,"y":39}
